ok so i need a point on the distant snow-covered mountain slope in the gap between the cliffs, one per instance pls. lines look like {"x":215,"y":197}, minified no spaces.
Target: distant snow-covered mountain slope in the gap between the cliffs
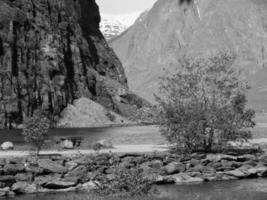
{"x":113,"y":25}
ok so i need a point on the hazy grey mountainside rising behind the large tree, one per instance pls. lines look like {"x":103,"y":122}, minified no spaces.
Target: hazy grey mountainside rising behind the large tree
{"x":152,"y":47}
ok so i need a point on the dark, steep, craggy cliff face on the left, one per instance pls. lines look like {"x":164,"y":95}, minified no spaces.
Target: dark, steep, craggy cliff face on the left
{"x":51,"y":53}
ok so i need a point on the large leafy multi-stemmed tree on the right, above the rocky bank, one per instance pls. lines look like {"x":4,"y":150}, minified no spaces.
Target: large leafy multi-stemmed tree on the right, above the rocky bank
{"x":203,"y":104}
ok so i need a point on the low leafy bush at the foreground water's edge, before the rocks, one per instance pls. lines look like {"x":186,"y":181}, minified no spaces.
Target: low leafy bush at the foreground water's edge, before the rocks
{"x":126,"y":182}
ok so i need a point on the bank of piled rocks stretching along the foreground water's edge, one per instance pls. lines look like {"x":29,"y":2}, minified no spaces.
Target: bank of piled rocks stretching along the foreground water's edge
{"x":82,"y":172}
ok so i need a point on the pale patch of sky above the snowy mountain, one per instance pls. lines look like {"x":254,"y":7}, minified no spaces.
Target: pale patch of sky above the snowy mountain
{"x":124,"y":6}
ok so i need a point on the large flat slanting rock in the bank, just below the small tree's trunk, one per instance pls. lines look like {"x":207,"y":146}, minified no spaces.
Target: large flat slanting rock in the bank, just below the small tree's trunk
{"x":50,"y":166}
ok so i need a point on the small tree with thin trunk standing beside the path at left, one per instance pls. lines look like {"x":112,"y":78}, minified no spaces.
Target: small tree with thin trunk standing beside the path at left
{"x":36,"y":129}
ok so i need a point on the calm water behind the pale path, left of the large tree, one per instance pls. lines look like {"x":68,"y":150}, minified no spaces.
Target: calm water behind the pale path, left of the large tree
{"x":118,"y":135}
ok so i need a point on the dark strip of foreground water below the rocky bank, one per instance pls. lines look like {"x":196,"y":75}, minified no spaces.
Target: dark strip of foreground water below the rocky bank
{"x":255,"y":189}
